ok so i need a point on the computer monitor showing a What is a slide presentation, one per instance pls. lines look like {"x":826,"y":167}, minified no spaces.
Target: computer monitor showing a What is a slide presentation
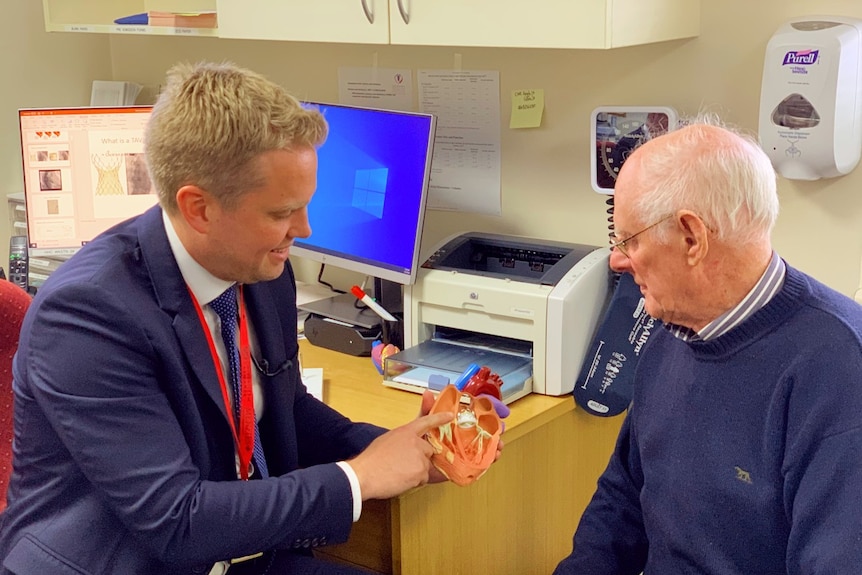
{"x":84,"y":171}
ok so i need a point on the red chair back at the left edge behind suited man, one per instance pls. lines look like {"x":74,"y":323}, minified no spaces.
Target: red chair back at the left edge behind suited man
{"x":14,"y":302}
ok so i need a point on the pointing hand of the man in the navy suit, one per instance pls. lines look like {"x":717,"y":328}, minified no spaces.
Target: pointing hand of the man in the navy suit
{"x":399,"y":459}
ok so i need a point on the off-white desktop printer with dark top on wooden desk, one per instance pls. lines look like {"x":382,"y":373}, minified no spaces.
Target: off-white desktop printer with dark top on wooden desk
{"x":526,"y":308}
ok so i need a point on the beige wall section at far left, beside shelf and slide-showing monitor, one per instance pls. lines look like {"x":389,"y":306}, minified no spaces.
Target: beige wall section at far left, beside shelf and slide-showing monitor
{"x":39,"y":69}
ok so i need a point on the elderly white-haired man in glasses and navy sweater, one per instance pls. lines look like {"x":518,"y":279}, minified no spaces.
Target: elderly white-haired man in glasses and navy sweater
{"x":742,"y":451}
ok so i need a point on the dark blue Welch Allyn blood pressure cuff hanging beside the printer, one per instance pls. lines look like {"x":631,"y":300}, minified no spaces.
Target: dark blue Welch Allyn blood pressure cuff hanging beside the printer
{"x":605,"y":385}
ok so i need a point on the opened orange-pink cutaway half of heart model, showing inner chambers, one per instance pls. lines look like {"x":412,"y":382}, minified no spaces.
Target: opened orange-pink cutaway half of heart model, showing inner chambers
{"x":465,"y":447}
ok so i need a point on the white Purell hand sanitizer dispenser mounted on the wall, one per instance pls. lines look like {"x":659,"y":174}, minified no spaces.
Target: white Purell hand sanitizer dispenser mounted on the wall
{"x":811,"y":98}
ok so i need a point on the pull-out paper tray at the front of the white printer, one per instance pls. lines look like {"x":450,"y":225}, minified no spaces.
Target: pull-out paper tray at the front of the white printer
{"x":410,"y":368}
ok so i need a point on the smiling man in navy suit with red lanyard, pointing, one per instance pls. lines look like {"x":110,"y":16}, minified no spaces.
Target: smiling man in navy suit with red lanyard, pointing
{"x":129,"y":458}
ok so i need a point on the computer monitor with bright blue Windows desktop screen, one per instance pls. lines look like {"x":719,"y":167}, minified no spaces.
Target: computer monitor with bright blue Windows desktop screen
{"x":372,"y":183}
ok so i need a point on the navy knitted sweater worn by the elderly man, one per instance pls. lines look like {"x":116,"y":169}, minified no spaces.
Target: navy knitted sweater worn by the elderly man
{"x":740,"y":455}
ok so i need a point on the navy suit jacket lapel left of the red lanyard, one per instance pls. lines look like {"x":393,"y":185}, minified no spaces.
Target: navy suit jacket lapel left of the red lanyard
{"x":174,"y":298}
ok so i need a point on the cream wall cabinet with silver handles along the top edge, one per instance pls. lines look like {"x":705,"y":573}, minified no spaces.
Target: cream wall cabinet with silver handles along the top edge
{"x":572,"y":24}
